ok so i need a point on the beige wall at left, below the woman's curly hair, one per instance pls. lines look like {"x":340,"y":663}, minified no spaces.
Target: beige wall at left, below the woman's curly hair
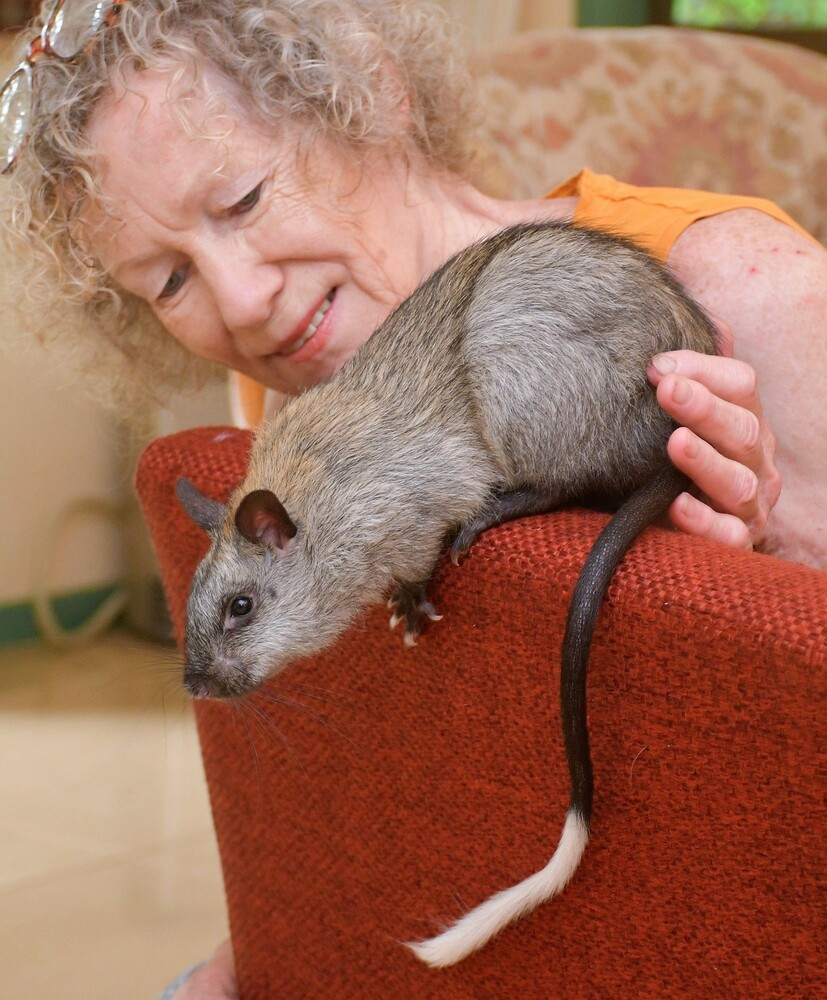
{"x":56,"y":449}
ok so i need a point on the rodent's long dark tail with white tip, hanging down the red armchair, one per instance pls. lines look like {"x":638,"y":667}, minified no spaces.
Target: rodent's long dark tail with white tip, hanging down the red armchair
{"x":485,"y":921}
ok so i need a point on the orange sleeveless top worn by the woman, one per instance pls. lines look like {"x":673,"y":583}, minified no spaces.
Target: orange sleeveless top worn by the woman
{"x":652,"y":217}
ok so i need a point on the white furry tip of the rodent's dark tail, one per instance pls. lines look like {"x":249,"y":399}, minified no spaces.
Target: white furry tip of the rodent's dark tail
{"x":478,"y":927}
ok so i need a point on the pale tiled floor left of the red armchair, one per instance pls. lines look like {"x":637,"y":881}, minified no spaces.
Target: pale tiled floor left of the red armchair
{"x":109,"y":875}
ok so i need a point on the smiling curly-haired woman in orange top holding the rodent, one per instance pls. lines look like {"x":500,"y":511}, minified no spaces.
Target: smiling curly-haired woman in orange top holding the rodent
{"x":264,"y":180}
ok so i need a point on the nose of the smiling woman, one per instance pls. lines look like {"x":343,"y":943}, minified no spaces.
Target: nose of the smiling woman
{"x":245,"y":293}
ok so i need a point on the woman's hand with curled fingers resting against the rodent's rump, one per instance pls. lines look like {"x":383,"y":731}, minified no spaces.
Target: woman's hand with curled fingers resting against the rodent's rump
{"x":723,"y":444}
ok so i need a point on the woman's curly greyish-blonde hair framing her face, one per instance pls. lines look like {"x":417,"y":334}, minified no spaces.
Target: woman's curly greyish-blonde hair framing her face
{"x":322,"y":63}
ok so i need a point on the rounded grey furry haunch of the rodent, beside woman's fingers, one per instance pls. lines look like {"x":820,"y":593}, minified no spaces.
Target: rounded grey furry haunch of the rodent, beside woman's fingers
{"x":561,"y":326}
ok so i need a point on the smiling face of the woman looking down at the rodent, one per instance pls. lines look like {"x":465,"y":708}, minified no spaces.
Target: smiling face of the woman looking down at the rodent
{"x":249,"y":255}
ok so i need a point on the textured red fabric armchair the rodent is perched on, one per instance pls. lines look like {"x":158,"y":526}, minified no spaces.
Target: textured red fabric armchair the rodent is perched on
{"x":375,"y":791}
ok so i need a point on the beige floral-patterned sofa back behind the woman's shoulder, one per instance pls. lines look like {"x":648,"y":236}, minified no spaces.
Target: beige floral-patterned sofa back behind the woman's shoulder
{"x":658,"y":106}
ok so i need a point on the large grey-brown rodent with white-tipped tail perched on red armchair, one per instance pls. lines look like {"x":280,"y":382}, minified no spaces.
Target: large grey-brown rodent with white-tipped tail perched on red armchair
{"x":511,"y":381}
